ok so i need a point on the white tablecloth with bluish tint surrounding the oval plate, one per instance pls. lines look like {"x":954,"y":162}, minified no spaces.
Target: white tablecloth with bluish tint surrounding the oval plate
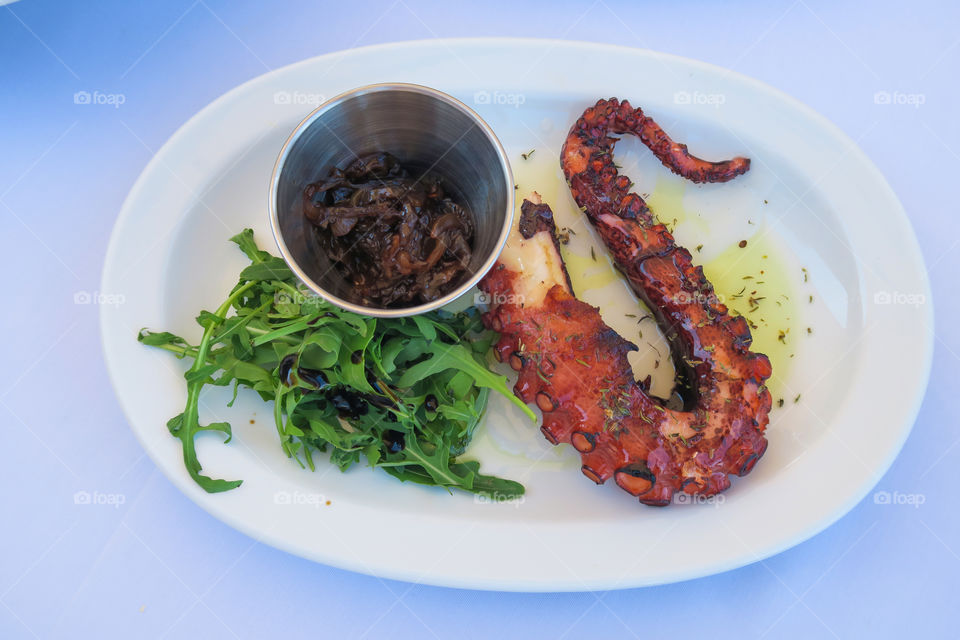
{"x":157,"y":566}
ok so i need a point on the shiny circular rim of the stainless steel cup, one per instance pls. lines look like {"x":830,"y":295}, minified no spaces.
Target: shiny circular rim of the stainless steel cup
{"x":326,"y":106}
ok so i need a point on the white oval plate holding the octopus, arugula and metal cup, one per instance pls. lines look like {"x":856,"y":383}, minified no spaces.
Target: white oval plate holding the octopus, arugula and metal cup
{"x":812,"y":198}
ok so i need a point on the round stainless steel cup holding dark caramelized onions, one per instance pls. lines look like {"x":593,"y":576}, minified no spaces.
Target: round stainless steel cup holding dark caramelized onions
{"x":428,"y":131}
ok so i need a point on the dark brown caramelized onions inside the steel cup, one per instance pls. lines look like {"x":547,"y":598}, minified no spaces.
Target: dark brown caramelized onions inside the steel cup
{"x":399,"y":240}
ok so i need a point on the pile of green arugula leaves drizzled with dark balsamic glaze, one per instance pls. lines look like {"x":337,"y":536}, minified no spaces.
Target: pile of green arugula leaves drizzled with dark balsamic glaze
{"x":404,"y":394}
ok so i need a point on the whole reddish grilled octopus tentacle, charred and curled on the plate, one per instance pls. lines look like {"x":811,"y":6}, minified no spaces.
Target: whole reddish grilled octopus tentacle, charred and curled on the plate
{"x":574,"y":367}
